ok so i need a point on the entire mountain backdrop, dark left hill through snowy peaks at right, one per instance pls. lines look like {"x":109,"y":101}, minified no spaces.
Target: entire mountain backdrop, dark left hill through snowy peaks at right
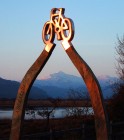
{"x":57,"y":85}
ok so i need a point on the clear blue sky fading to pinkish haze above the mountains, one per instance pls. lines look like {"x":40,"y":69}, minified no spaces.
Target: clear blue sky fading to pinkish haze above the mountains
{"x":97,"y":24}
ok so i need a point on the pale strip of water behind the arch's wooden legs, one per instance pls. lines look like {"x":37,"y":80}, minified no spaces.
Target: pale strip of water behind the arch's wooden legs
{"x":57,"y":113}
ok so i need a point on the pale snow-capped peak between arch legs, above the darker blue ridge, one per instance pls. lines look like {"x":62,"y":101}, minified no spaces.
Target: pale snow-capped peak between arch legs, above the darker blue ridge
{"x":60,"y":80}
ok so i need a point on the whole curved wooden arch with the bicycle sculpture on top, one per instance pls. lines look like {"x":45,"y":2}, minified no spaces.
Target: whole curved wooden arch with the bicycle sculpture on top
{"x":64,"y":29}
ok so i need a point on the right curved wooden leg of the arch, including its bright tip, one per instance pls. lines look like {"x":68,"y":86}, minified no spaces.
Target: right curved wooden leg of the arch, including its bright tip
{"x":101,"y":120}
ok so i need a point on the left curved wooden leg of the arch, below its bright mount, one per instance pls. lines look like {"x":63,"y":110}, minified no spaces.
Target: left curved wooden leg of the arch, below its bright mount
{"x":23,"y":92}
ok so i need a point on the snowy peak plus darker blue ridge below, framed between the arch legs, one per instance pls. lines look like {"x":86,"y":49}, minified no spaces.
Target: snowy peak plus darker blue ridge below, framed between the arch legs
{"x":57,"y":85}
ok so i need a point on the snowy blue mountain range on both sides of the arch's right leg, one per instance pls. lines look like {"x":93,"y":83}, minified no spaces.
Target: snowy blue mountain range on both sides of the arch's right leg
{"x":59,"y":84}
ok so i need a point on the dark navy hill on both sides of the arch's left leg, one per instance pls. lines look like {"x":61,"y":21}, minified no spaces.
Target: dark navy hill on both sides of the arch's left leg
{"x":8,"y":89}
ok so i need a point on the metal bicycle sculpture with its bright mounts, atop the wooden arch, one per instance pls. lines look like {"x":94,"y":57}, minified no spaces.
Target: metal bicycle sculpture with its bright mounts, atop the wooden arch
{"x":61,"y":26}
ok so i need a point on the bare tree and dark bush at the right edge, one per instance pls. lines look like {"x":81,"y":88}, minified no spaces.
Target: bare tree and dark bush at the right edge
{"x":116,"y":108}
